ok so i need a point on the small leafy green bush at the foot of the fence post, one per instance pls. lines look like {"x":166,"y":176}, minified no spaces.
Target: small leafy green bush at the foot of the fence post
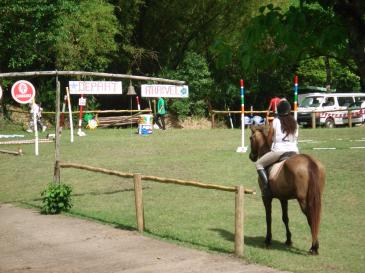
{"x":56,"y":198}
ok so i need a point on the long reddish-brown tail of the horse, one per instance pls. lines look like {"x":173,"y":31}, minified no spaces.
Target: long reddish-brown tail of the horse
{"x":314,"y":202}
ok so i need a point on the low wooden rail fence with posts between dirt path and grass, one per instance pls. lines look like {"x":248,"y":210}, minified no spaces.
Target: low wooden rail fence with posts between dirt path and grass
{"x":238,"y":190}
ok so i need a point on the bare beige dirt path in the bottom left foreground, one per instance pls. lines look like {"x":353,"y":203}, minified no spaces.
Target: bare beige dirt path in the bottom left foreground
{"x":31,"y":242}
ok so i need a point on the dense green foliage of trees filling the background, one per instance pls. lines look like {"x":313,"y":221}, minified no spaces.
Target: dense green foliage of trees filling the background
{"x":210,"y":44}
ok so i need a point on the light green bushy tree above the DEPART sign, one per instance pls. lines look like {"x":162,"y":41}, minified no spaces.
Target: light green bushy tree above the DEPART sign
{"x":85,"y":38}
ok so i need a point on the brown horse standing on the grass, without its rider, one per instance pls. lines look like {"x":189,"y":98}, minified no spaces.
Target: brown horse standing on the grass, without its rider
{"x":301,"y":177}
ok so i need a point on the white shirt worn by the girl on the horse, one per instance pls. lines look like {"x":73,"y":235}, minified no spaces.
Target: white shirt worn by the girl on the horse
{"x":281,"y":142}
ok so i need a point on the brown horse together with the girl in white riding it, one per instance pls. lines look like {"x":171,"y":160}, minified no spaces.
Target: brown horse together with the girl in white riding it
{"x":300,"y":177}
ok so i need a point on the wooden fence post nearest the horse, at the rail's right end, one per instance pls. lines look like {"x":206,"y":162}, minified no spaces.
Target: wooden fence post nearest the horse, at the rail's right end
{"x":239,"y":221}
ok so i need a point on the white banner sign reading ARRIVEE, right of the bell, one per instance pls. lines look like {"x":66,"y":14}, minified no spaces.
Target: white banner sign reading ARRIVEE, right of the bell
{"x":164,"y":90}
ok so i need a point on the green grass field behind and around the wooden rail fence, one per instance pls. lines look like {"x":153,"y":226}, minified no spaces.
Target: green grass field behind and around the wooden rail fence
{"x":202,"y":218}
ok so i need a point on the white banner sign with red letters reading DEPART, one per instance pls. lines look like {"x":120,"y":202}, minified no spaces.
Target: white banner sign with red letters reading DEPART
{"x":95,"y":87}
